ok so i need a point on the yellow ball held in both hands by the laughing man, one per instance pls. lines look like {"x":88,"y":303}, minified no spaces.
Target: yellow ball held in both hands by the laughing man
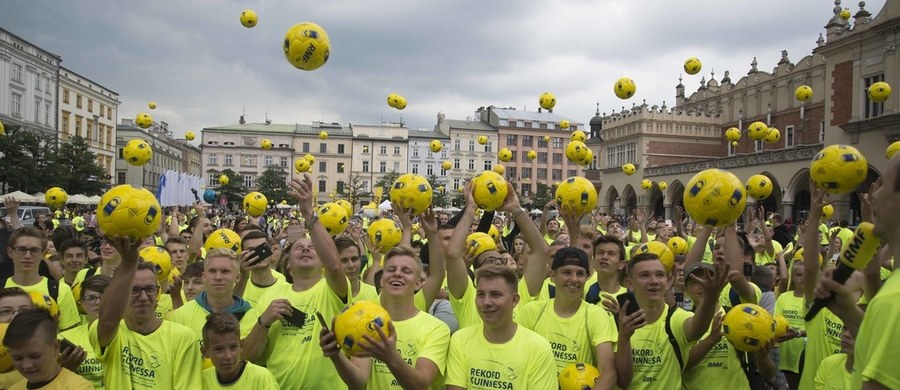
{"x":358,"y":319}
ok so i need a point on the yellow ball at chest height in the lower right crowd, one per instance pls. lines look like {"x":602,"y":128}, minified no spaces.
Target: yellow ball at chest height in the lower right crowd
{"x":748,"y":327}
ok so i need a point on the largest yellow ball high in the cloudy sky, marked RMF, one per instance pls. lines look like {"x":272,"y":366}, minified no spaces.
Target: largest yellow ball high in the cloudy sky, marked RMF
{"x":306,"y":46}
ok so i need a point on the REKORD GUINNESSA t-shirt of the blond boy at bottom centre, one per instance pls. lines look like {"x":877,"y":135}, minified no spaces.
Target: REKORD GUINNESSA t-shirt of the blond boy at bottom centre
{"x":523,"y":362}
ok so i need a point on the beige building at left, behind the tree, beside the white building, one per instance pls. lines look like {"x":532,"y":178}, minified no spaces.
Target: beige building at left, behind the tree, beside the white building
{"x":89,"y":110}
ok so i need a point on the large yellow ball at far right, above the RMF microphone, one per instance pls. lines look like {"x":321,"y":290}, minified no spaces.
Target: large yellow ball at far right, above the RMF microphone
{"x":838,"y":169}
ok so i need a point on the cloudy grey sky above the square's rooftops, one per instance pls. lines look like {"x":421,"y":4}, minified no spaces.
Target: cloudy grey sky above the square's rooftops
{"x":204,"y":69}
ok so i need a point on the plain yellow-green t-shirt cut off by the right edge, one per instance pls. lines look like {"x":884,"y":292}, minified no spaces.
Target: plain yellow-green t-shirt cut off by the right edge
{"x":877,"y":343}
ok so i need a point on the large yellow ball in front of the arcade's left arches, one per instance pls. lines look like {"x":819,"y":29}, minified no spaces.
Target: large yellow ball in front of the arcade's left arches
{"x":715,"y":197}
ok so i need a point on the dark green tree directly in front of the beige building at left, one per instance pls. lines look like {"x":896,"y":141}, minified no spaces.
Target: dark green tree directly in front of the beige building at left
{"x":79,"y":171}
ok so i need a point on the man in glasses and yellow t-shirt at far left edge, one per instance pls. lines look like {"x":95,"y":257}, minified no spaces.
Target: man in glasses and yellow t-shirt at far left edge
{"x":25,"y":247}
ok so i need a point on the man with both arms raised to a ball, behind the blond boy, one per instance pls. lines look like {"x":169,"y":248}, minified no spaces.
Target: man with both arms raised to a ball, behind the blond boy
{"x":459,"y":287}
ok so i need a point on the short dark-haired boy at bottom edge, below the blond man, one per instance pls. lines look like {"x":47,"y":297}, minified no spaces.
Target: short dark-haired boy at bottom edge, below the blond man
{"x":222,"y":346}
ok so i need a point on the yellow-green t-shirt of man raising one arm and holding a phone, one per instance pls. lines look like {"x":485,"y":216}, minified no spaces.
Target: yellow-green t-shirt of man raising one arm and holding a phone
{"x":293,"y":354}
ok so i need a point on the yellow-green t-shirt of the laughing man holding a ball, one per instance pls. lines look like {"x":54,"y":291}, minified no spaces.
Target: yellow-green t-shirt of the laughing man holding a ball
{"x":420,"y":337}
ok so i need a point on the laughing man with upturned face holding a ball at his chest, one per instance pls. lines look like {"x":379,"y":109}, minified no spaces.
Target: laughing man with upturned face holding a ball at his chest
{"x":412,"y":352}
